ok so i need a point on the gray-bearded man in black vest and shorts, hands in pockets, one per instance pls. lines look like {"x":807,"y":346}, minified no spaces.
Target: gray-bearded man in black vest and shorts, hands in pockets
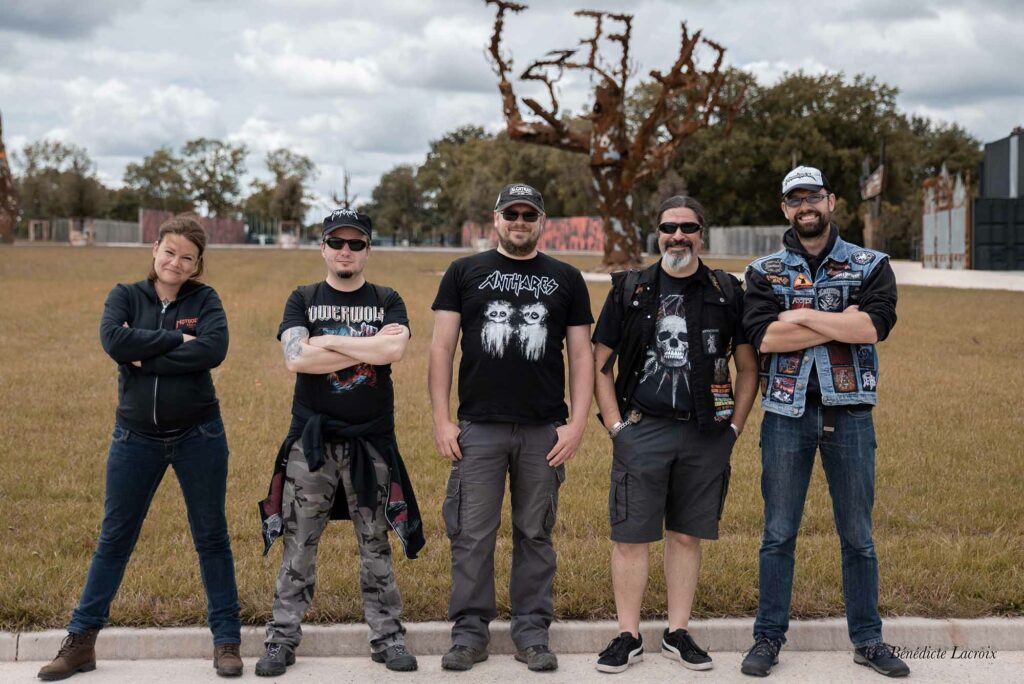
{"x":673,"y":420}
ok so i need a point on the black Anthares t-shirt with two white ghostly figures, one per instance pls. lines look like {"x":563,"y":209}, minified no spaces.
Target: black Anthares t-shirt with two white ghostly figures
{"x":515,"y":316}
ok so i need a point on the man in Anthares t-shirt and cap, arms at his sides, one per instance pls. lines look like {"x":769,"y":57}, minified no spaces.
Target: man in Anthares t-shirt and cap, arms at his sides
{"x":515,"y":307}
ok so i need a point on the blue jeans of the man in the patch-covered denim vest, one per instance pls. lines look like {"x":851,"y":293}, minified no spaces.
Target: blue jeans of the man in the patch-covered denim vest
{"x":788,"y":447}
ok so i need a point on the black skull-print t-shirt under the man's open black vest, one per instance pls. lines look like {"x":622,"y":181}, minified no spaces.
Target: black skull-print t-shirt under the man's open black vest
{"x":664,"y":389}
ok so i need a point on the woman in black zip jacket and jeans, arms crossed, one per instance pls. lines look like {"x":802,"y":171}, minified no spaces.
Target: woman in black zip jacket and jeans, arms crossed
{"x":165,"y":333}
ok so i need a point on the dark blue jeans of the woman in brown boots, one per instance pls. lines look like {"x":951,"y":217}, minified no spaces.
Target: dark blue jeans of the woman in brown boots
{"x":135,"y":467}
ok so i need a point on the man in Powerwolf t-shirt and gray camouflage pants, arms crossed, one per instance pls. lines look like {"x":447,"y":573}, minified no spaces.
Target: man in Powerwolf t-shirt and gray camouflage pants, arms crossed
{"x":340,"y":458}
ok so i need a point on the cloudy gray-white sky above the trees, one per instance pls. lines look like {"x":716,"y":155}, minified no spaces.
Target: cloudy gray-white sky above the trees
{"x":367,"y":85}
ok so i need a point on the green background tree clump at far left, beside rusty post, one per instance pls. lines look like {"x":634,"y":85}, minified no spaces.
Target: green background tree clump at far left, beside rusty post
{"x":59,"y":180}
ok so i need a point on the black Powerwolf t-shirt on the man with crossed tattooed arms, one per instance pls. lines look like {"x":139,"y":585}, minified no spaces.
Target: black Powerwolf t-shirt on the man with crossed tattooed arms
{"x":360,"y":393}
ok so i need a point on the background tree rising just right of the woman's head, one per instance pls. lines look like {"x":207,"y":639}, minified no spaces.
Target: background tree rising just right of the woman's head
{"x":215,"y":172}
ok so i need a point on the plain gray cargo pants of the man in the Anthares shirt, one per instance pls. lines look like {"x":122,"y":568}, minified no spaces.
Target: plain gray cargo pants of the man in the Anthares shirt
{"x":473,"y":512}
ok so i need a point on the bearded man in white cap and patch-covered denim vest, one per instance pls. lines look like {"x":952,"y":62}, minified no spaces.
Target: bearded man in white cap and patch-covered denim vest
{"x":816,"y":311}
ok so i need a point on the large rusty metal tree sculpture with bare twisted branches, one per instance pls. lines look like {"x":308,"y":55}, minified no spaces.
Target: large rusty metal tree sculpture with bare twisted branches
{"x":687,"y":99}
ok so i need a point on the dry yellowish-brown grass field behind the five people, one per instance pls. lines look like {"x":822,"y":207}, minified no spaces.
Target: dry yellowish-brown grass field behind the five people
{"x":949,"y":507}
